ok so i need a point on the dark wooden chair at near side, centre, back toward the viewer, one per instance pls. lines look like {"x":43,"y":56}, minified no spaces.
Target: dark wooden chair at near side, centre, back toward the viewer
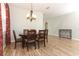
{"x":31,"y":38}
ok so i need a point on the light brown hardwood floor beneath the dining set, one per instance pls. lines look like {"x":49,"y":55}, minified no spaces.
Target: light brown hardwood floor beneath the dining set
{"x":54,"y":47}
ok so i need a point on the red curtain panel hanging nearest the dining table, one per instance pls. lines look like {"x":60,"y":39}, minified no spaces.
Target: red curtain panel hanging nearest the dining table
{"x":8,"y":36}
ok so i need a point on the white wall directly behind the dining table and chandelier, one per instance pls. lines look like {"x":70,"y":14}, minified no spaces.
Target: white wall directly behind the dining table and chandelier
{"x":20,"y":22}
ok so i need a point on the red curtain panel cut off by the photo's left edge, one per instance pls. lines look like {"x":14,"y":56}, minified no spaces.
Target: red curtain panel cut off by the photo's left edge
{"x":1,"y":36}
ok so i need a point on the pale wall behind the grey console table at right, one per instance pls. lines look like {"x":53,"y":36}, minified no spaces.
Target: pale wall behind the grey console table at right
{"x":67,"y":21}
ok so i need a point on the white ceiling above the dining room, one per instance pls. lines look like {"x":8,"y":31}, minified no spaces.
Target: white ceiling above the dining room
{"x":54,"y":9}
